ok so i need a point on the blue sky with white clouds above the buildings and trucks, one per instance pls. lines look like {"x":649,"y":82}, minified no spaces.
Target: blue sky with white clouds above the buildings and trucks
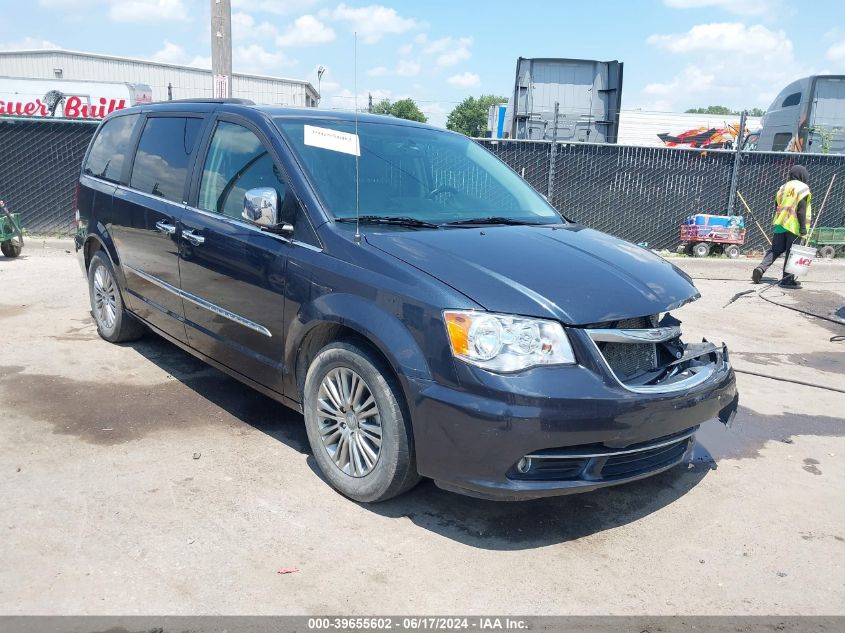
{"x":677,"y":53}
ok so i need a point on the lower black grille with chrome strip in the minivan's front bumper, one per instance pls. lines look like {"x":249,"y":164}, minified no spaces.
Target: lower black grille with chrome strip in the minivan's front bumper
{"x":599,"y":463}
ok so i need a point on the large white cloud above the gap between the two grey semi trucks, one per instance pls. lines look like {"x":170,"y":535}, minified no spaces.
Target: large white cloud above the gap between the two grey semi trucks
{"x":730,"y":63}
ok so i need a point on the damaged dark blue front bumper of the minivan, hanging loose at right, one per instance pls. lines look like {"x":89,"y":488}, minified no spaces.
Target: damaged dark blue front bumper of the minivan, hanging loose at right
{"x":553,"y":431}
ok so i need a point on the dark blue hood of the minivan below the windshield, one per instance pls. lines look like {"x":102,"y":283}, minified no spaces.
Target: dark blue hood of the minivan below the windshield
{"x":570,"y":273}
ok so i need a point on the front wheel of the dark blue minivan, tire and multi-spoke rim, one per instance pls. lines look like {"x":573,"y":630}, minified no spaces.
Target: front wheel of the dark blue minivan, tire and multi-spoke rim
{"x":359,"y":432}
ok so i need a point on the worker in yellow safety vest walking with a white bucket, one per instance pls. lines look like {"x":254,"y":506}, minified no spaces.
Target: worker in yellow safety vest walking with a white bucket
{"x":792,"y":217}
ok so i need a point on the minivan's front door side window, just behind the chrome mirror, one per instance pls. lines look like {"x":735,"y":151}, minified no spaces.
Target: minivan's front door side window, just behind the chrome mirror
{"x":237,"y":161}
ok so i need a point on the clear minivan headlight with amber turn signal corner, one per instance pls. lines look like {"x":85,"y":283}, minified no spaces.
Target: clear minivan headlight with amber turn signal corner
{"x":504,"y":343}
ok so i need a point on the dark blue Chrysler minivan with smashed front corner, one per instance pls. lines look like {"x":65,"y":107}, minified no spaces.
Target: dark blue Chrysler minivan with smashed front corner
{"x":428,"y":312}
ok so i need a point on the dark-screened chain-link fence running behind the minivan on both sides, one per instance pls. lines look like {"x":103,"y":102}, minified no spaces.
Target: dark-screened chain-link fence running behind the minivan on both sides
{"x":641,"y":194}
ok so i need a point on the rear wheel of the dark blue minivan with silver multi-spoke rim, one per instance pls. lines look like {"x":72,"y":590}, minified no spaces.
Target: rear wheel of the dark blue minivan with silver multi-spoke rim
{"x":114,"y":323}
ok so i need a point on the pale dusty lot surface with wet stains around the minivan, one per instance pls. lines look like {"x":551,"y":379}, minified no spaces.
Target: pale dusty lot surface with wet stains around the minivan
{"x":137,"y":480}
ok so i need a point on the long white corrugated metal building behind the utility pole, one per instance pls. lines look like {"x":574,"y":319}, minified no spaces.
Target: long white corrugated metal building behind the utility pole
{"x":186,"y":81}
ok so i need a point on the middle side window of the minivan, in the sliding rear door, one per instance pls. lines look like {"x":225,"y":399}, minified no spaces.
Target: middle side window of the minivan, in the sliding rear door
{"x":164,"y":152}
